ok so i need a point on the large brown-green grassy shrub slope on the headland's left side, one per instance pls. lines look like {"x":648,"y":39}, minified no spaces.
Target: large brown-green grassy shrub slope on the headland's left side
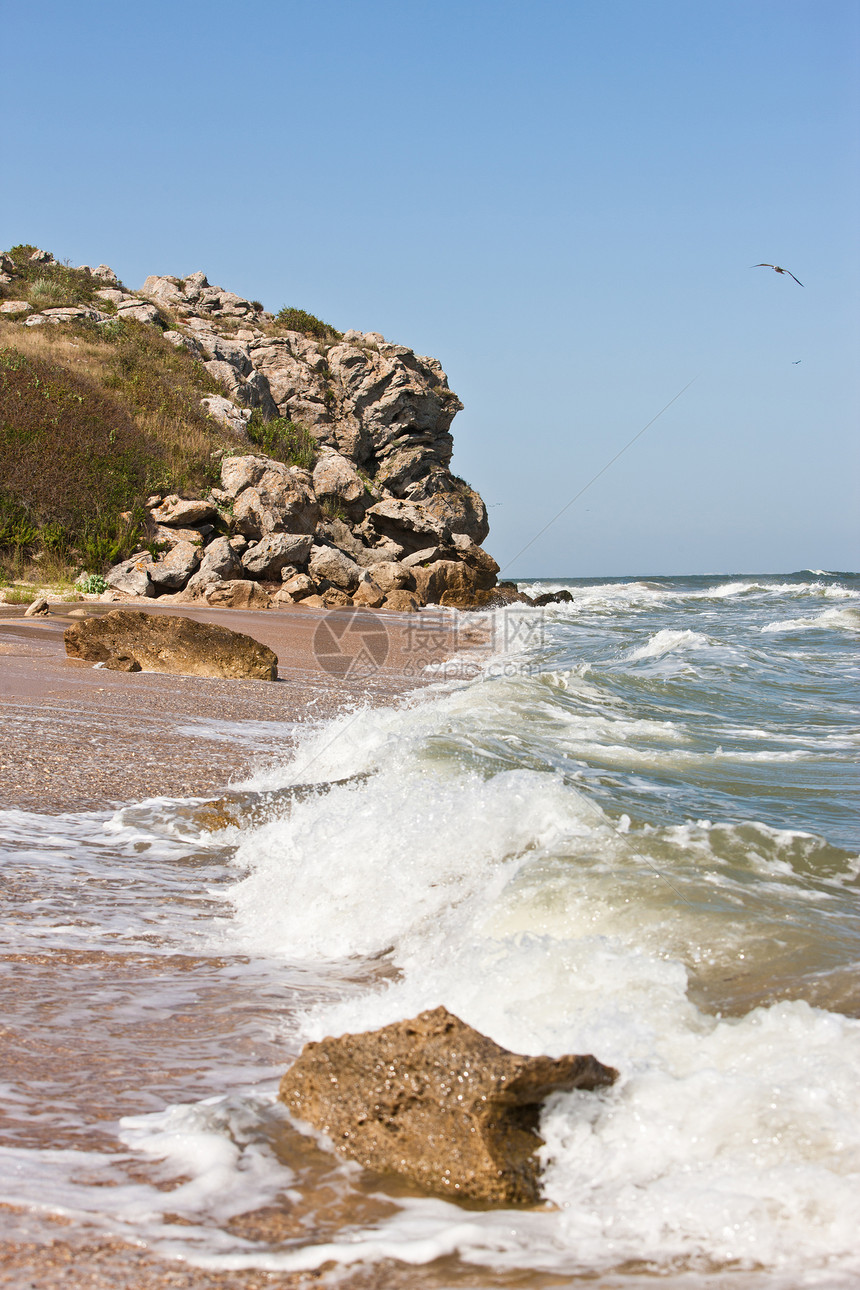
{"x":92,"y":421}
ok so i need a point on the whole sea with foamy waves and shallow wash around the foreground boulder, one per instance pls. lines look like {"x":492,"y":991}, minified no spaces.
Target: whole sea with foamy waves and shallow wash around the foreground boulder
{"x":623,"y":825}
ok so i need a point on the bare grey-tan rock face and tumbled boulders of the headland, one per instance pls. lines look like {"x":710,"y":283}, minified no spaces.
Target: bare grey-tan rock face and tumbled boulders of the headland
{"x":366,"y":511}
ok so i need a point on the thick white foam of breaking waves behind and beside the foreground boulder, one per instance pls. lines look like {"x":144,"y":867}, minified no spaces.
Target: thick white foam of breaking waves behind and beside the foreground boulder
{"x":522,"y":883}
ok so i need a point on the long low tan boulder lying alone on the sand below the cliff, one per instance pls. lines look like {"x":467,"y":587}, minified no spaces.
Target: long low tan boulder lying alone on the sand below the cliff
{"x":161,"y":643}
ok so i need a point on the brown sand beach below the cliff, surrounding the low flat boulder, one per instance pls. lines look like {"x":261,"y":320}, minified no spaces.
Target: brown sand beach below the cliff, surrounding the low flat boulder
{"x":77,"y":737}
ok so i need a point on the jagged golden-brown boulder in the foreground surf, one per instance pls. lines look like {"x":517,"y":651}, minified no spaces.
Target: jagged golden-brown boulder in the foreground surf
{"x":436,"y":1101}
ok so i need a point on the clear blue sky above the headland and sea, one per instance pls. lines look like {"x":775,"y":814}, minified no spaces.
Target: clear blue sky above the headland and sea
{"x":559,"y":201}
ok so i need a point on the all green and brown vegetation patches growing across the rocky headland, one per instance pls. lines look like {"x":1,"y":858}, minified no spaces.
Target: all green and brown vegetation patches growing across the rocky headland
{"x":95,"y":417}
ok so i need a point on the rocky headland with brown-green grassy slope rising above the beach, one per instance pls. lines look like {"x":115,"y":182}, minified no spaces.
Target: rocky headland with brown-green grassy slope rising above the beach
{"x":113,"y":402}
